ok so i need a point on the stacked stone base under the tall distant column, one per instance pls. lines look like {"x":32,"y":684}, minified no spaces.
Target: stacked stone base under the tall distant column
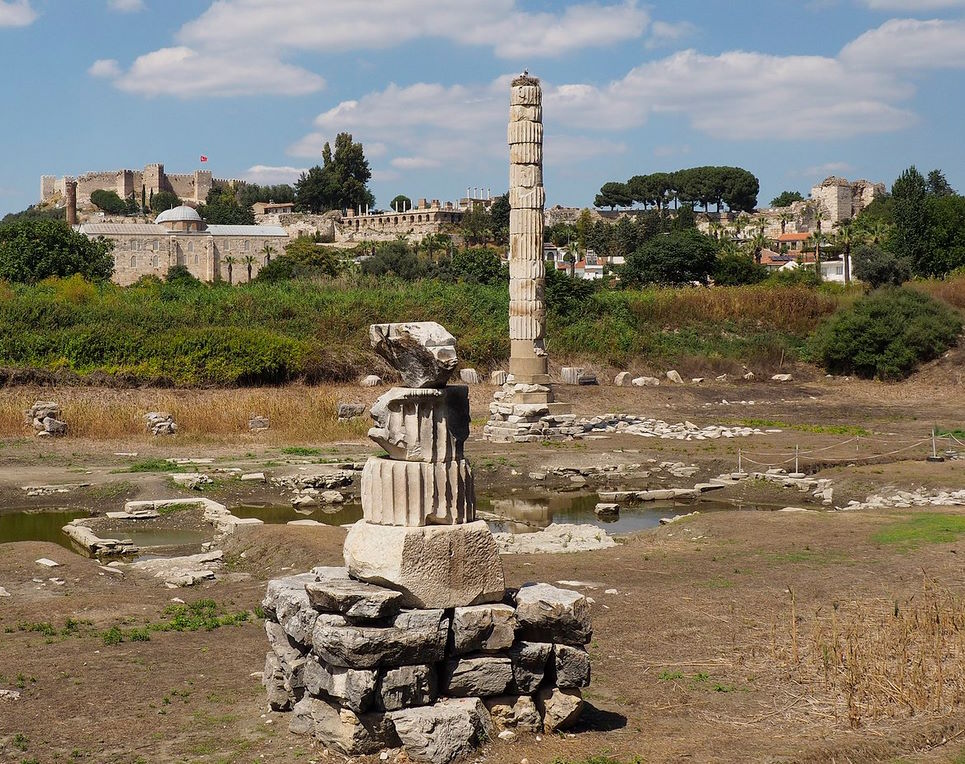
{"x":523,"y":413}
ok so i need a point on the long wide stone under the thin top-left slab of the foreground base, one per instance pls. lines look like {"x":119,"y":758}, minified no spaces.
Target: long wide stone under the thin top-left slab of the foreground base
{"x":414,"y":636}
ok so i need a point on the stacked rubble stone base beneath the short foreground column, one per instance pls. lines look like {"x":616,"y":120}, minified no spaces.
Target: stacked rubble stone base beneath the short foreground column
{"x":359,"y":673}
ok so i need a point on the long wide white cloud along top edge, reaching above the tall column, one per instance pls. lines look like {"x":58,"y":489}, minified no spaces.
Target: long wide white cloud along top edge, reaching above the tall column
{"x":364,"y":24}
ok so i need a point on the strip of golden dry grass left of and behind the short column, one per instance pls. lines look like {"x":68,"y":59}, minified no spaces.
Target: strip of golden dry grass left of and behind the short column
{"x":297,"y":413}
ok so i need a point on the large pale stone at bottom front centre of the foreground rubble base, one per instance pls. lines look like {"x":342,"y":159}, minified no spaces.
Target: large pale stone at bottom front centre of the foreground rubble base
{"x":444,"y":731}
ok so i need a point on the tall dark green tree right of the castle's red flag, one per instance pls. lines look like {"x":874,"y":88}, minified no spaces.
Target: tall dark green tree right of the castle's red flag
{"x":341,"y":182}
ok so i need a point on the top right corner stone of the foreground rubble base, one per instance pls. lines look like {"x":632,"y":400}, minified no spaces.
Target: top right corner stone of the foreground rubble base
{"x":550,"y":614}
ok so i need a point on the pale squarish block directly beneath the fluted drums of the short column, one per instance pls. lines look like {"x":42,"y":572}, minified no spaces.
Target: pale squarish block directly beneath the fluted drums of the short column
{"x":434,"y":566}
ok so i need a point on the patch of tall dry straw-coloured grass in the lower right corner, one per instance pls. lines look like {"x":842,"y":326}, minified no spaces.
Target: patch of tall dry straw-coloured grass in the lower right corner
{"x":866,"y":662}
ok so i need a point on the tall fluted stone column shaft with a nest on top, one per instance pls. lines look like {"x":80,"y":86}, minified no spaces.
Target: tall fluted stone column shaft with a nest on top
{"x":527,"y":271}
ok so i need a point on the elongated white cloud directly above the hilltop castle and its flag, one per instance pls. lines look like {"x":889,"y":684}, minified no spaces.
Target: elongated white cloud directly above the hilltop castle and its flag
{"x":187,"y":73}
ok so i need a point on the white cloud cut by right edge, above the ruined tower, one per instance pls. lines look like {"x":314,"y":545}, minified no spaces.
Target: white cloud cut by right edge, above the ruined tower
{"x":909,"y":44}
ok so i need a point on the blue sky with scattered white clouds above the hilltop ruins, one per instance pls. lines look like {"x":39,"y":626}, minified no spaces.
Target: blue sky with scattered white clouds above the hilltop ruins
{"x":793,"y":90}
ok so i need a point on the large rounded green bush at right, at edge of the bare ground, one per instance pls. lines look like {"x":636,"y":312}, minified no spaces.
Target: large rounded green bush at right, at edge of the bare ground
{"x":886,"y":335}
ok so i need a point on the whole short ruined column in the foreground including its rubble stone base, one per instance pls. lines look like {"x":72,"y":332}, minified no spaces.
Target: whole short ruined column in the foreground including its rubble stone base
{"x":416,"y":642}
